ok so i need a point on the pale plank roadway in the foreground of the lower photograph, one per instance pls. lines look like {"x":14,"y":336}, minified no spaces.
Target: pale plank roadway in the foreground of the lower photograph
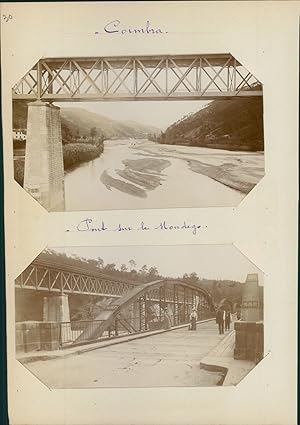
{"x":168,"y":359}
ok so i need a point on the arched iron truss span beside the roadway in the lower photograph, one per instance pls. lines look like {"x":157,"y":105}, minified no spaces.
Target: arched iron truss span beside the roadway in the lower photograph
{"x":146,"y":307}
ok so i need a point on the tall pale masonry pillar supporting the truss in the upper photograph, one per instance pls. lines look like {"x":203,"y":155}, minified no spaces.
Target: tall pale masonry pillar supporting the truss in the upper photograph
{"x":44,"y":170}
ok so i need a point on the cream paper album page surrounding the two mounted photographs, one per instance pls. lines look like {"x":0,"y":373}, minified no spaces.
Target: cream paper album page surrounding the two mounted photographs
{"x":264,"y":38}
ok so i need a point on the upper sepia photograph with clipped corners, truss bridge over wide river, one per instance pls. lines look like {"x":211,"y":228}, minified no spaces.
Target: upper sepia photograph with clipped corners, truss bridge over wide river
{"x":135,"y":132}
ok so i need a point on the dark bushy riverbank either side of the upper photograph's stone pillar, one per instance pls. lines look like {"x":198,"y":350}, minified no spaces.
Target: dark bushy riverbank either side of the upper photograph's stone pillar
{"x":74,"y":154}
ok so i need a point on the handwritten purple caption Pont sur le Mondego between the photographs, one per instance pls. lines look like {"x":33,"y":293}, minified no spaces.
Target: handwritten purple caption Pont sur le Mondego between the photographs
{"x":95,"y":226}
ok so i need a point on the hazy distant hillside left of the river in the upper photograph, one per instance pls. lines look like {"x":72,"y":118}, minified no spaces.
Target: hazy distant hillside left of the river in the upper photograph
{"x":79,"y":122}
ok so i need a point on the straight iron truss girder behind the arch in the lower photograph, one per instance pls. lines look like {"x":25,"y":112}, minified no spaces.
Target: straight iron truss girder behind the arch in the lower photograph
{"x":44,"y":276}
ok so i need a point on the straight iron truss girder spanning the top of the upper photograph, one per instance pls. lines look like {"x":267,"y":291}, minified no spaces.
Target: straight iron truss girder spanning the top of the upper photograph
{"x":172,"y":77}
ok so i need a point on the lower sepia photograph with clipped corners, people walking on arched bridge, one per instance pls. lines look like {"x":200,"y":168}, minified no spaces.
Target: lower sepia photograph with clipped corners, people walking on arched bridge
{"x":140,"y":316}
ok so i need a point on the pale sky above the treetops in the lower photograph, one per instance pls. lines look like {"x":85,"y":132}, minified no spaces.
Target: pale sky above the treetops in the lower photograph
{"x":208,"y":261}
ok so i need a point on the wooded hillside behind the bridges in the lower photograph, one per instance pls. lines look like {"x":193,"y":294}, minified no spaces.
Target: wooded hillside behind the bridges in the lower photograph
{"x":84,"y":307}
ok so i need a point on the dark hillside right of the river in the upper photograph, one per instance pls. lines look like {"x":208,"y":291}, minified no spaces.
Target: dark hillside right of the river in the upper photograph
{"x":235,"y":124}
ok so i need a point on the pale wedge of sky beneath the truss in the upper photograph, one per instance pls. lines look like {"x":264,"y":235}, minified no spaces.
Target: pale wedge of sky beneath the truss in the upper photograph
{"x":159,"y":114}
